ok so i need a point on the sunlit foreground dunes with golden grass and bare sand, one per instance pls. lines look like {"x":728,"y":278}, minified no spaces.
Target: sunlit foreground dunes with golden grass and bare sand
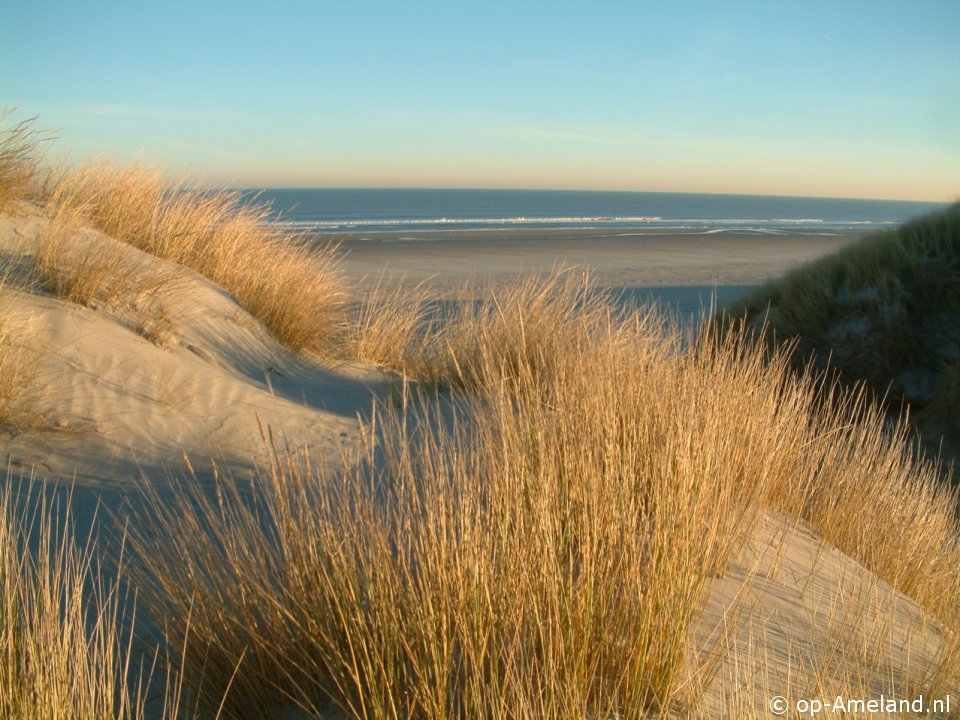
{"x":550,"y":506}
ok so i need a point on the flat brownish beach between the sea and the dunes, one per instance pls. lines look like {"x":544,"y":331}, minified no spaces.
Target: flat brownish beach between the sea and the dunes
{"x":680,"y":267}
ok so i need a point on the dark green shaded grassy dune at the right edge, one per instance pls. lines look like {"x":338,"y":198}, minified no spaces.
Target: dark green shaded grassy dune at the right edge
{"x":884,"y":311}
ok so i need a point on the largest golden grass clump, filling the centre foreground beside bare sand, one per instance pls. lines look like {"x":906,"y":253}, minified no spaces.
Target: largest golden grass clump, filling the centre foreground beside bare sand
{"x":541,"y":546}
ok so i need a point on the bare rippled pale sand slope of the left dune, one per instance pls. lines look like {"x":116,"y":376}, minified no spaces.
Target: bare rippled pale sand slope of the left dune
{"x":113,"y":402}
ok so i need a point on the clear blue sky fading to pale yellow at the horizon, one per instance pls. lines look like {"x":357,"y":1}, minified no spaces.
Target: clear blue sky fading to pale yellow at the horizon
{"x":836,"y":98}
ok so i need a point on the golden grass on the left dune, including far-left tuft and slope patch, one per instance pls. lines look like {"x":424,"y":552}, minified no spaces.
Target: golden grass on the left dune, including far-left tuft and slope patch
{"x":293,"y":289}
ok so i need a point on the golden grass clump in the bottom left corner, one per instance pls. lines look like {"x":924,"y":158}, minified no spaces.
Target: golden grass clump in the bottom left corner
{"x":62,"y":652}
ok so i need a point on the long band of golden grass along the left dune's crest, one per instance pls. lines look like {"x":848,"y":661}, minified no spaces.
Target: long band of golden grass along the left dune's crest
{"x":293,"y":289}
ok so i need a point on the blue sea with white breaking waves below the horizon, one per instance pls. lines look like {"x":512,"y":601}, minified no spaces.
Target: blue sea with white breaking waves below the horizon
{"x":425,"y":212}
